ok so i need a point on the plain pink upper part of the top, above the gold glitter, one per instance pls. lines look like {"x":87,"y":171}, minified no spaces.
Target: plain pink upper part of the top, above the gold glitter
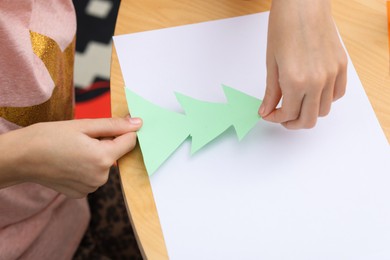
{"x":24,"y":80}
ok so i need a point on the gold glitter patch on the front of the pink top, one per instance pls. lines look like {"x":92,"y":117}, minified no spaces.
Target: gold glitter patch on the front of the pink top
{"x":60,"y":67}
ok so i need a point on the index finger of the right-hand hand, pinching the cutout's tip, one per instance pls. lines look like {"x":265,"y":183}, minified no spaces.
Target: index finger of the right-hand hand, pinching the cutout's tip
{"x":290,"y":110}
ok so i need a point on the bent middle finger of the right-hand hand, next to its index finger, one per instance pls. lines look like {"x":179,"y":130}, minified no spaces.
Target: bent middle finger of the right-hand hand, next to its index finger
{"x":309,"y":114}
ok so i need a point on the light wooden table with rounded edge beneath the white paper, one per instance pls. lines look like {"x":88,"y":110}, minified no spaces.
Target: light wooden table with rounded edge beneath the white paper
{"x":363,"y":27}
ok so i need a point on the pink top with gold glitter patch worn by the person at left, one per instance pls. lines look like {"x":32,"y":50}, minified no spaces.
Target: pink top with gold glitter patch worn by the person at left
{"x":36,"y":74}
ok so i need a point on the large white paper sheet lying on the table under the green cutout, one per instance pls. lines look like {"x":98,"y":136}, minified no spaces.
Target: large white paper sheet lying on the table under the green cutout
{"x":322,"y":193}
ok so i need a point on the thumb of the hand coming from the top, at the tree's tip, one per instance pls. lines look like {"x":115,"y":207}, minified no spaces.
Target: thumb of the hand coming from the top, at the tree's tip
{"x":273,"y":93}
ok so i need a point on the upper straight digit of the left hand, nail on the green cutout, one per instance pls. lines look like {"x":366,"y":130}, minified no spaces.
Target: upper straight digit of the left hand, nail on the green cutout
{"x":108,"y":127}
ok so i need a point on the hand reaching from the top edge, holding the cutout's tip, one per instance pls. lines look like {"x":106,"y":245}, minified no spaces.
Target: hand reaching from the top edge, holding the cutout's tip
{"x":306,"y":64}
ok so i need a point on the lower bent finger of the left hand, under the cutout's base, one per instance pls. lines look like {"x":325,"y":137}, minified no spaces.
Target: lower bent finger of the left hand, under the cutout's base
{"x":120,"y":145}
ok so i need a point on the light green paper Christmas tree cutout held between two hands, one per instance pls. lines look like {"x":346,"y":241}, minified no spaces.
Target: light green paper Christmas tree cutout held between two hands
{"x":163,"y":131}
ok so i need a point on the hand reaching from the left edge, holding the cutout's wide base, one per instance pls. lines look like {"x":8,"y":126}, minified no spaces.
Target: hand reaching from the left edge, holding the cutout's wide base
{"x":72,"y":157}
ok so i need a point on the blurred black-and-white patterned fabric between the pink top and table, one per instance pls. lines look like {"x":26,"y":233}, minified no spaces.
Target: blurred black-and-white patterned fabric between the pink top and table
{"x":95,"y":27}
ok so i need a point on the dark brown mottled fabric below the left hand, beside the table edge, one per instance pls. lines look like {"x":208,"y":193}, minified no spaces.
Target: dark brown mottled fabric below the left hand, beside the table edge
{"x":110,"y":235}
